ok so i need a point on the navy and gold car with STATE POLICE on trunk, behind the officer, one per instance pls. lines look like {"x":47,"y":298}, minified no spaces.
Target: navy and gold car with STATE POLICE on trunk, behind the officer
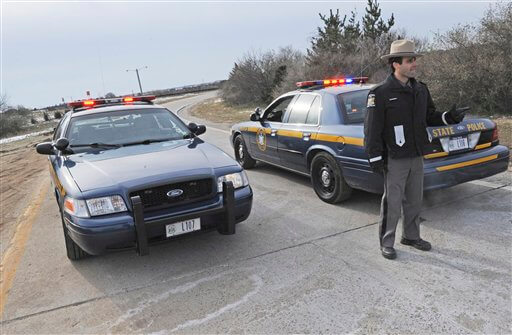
{"x":317,"y":131}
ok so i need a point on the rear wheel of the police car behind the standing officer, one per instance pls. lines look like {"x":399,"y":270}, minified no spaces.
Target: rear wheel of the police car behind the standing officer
{"x":327,"y":179}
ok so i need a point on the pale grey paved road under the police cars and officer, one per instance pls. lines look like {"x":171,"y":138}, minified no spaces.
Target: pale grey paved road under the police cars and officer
{"x":297,"y":265}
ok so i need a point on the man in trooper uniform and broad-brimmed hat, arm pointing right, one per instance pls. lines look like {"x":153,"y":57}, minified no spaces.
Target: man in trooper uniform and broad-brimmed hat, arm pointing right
{"x":396,"y":138}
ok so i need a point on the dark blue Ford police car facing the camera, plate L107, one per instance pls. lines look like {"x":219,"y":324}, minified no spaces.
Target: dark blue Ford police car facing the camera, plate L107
{"x":128,"y":173}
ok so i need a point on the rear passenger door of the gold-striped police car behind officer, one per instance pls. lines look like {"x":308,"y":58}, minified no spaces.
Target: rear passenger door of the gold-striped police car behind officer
{"x":294,"y":136}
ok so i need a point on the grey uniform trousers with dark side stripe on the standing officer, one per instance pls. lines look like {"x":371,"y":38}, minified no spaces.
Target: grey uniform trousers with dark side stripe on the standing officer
{"x":403,"y":188}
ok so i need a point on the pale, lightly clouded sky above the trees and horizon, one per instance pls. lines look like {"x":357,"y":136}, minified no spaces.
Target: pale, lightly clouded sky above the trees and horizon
{"x":53,"y":50}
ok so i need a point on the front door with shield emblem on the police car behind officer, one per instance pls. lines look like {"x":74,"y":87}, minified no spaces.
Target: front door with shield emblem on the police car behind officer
{"x":264,"y":142}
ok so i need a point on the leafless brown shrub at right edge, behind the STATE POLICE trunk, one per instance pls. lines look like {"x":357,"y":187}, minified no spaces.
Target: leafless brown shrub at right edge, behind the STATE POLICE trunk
{"x":471,"y":65}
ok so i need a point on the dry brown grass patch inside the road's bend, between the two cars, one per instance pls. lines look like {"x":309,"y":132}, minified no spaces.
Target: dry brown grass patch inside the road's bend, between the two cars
{"x":215,"y":110}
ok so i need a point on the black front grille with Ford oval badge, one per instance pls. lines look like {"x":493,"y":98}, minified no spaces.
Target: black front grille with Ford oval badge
{"x":192,"y":190}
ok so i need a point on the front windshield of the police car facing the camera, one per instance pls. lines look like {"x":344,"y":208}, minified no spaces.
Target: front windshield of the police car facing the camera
{"x":128,"y":127}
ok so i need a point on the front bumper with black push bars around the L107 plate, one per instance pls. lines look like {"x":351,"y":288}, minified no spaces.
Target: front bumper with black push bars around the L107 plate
{"x":124,"y":231}
